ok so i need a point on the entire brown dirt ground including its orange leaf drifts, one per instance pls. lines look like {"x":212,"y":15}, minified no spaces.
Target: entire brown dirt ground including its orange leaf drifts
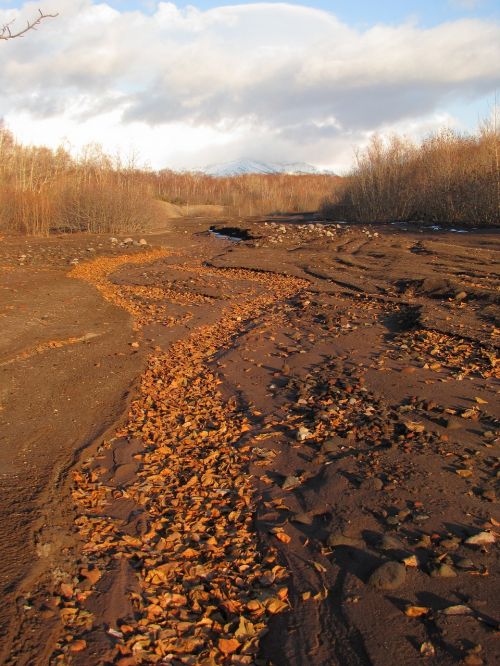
{"x":280,"y":450}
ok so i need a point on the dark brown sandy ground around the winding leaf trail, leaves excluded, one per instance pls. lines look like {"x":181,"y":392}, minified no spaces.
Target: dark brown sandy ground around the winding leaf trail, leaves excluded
{"x":380,"y":359}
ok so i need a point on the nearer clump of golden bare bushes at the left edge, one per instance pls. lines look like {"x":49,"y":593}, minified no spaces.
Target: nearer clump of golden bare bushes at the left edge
{"x":43,"y":190}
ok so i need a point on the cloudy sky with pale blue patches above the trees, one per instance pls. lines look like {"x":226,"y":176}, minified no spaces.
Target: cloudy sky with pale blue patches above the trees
{"x":185,"y":84}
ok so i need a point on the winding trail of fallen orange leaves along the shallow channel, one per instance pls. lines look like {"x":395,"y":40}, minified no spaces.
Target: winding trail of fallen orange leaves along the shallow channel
{"x":171,"y":559}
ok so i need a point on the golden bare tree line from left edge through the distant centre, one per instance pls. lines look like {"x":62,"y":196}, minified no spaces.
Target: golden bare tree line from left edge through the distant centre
{"x":44,"y":191}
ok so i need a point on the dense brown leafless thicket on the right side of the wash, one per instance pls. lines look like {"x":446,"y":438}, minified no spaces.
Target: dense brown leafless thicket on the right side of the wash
{"x":449,"y":178}
